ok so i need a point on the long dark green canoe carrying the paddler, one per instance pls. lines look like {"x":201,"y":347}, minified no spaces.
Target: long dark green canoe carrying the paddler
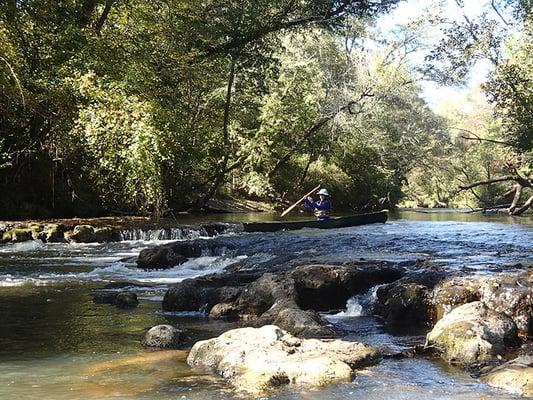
{"x":334,"y":222}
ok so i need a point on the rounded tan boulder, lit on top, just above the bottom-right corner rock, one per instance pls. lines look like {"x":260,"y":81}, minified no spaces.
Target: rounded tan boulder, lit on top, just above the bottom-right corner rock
{"x":472,"y":334}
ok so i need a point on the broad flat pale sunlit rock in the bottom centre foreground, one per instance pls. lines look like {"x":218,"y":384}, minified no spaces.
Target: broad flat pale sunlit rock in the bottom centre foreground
{"x":255,"y":360}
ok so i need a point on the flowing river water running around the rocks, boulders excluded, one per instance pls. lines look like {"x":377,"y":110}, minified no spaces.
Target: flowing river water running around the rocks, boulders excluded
{"x":56,"y":343}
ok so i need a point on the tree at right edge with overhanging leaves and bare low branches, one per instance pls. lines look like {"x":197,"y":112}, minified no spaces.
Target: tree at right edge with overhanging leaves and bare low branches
{"x":509,"y":87}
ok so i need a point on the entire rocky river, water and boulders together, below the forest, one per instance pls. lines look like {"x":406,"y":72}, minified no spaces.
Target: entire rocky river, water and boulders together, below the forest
{"x":441,"y":309}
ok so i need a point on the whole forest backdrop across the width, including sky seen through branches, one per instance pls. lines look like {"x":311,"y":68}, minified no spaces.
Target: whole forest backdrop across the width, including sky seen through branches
{"x":128,"y":106}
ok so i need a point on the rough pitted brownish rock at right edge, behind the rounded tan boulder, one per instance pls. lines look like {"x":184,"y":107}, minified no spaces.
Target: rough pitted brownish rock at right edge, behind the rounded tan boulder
{"x":511,"y":294}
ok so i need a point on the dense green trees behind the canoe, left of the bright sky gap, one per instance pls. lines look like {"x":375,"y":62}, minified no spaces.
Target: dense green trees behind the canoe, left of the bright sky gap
{"x":151,"y":106}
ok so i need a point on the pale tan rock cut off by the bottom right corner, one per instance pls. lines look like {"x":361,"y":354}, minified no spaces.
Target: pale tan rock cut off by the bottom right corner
{"x":515,"y":376}
